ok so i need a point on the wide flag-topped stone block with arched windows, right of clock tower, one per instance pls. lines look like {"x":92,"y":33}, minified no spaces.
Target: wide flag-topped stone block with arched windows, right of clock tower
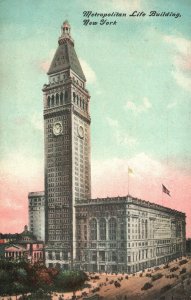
{"x":125,"y":234}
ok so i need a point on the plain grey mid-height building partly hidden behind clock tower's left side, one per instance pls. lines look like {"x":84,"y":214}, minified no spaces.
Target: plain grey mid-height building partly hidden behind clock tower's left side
{"x":37,"y":214}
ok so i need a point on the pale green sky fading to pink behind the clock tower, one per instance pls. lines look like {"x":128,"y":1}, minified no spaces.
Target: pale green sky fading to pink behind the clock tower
{"x":138,"y":74}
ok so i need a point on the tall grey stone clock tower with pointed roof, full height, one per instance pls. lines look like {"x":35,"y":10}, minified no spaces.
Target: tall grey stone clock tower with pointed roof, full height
{"x":67,"y":149}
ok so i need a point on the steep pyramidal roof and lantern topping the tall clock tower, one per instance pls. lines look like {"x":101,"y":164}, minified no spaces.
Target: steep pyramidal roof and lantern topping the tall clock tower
{"x":65,"y":57}
